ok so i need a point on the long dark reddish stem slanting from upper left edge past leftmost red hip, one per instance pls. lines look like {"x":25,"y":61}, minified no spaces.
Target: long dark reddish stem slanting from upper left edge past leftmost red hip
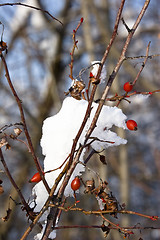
{"x":19,"y":103}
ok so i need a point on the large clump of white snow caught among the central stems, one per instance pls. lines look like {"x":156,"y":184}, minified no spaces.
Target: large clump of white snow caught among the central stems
{"x":58,"y":133}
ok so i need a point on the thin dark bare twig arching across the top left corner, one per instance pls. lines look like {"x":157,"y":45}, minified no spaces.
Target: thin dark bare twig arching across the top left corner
{"x":30,"y":6}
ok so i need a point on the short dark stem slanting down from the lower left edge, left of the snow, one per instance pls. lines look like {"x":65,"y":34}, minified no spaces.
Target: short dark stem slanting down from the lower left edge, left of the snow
{"x":27,"y":208}
